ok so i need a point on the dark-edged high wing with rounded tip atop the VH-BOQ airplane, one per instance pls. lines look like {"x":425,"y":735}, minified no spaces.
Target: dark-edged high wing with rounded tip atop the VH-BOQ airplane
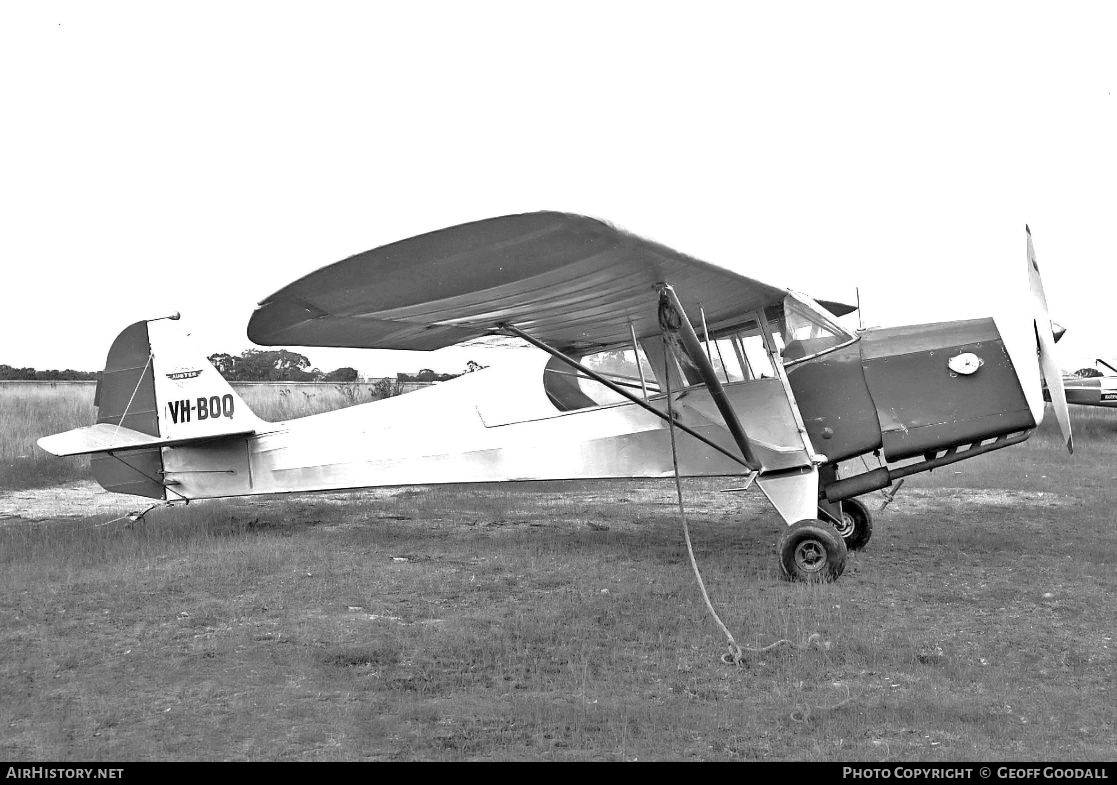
{"x":570,"y":281}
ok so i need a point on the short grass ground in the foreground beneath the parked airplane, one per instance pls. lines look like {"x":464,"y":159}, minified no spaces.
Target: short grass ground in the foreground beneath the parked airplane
{"x":561,"y":621}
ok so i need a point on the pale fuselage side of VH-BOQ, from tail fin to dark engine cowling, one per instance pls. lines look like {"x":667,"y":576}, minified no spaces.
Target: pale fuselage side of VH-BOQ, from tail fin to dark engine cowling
{"x":491,"y":426}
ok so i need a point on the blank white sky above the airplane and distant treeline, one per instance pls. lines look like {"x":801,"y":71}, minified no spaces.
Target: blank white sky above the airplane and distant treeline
{"x":198,"y":157}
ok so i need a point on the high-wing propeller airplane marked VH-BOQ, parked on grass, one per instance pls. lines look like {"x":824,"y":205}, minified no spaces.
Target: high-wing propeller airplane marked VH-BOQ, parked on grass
{"x":641,"y":344}
